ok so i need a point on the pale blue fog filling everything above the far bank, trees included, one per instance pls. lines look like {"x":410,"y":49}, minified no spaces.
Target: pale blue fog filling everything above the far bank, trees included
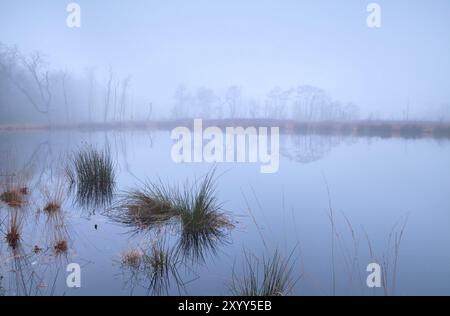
{"x":141,"y":60}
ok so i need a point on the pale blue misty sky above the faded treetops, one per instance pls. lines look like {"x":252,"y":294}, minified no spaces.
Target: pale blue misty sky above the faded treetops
{"x":257,"y":44}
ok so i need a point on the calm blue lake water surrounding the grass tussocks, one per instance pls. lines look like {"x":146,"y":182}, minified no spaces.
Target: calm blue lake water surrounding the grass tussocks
{"x":380,"y":191}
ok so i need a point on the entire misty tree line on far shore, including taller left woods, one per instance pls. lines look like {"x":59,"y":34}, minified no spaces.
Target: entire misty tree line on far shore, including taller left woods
{"x":32,"y":92}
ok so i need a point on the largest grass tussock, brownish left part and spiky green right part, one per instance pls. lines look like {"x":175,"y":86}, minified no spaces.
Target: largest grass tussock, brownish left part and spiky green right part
{"x":194,"y":210}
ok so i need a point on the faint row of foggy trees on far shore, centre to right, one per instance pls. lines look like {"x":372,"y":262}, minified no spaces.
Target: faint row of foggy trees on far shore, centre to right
{"x":306,"y":103}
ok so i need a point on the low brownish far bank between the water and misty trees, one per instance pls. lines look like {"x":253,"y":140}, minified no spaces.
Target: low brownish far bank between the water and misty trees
{"x":361,"y":128}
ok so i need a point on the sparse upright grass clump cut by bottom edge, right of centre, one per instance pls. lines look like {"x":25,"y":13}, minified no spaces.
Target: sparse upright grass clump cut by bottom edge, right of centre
{"x":270,"y":277}
